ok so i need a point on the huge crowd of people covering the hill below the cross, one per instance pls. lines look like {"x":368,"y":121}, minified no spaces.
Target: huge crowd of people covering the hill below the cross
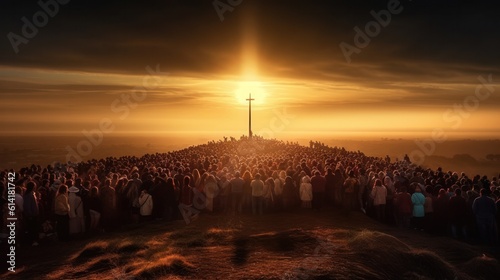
{"x":255,"y":176}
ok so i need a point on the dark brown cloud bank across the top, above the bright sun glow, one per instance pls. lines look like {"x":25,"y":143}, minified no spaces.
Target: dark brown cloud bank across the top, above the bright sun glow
{"x":124,"y":36}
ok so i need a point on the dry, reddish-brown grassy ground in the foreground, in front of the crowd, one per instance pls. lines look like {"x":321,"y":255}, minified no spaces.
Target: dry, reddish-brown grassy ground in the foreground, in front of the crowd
{"x":322,"y":245}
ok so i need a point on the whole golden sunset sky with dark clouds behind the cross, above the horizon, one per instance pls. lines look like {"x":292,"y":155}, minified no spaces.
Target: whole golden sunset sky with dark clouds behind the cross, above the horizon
{"x":87,"y":61}
